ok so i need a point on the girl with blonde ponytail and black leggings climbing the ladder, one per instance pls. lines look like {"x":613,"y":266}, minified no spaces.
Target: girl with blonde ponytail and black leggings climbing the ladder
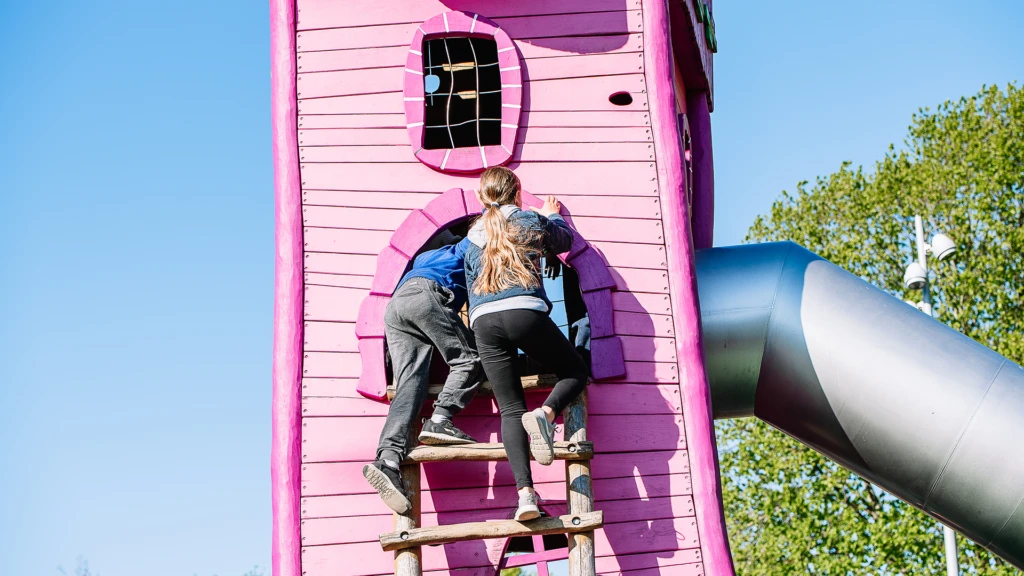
{"x":508,"y":312}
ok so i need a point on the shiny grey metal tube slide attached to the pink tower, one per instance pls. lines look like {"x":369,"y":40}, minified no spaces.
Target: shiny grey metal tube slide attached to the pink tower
{"x":870,"y":382}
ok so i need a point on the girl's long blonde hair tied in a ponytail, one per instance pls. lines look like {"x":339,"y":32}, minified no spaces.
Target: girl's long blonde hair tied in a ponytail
{"x":509,"y":254}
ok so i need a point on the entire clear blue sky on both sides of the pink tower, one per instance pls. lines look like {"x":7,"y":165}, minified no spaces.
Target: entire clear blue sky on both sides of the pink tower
{"x":137,"y":227}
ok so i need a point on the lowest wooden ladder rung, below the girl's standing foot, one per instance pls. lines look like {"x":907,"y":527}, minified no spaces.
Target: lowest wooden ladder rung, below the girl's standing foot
{"x":499,"y":529}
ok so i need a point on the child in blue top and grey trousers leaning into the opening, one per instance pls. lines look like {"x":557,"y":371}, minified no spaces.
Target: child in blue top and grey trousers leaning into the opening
{"x":423,"y":315}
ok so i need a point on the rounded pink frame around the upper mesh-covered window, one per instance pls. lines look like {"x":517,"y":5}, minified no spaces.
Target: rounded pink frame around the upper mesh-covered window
{"x":474,"y":159}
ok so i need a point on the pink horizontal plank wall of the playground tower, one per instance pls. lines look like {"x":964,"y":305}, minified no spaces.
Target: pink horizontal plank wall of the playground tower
{"x":360,"y":181}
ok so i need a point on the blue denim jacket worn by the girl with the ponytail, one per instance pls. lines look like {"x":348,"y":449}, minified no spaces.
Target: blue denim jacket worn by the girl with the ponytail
{"x":557,"y":238}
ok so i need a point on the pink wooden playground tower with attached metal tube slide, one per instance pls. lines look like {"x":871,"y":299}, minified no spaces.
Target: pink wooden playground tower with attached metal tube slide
{"x":607,"y":104}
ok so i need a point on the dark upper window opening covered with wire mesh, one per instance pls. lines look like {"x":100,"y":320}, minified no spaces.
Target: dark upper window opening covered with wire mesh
{"x":462,"y":89}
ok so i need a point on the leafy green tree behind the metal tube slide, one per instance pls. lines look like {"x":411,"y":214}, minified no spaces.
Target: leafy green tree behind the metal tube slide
{"x":791,"y":511}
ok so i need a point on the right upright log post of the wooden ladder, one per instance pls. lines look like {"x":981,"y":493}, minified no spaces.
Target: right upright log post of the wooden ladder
{"x":579,"y":490}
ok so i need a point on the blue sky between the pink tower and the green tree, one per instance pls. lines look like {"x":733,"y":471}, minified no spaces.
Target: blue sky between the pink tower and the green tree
{"x":801,"y":87}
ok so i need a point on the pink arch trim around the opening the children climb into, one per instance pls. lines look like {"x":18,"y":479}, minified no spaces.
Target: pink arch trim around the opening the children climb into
{"x":596,"y":284}
